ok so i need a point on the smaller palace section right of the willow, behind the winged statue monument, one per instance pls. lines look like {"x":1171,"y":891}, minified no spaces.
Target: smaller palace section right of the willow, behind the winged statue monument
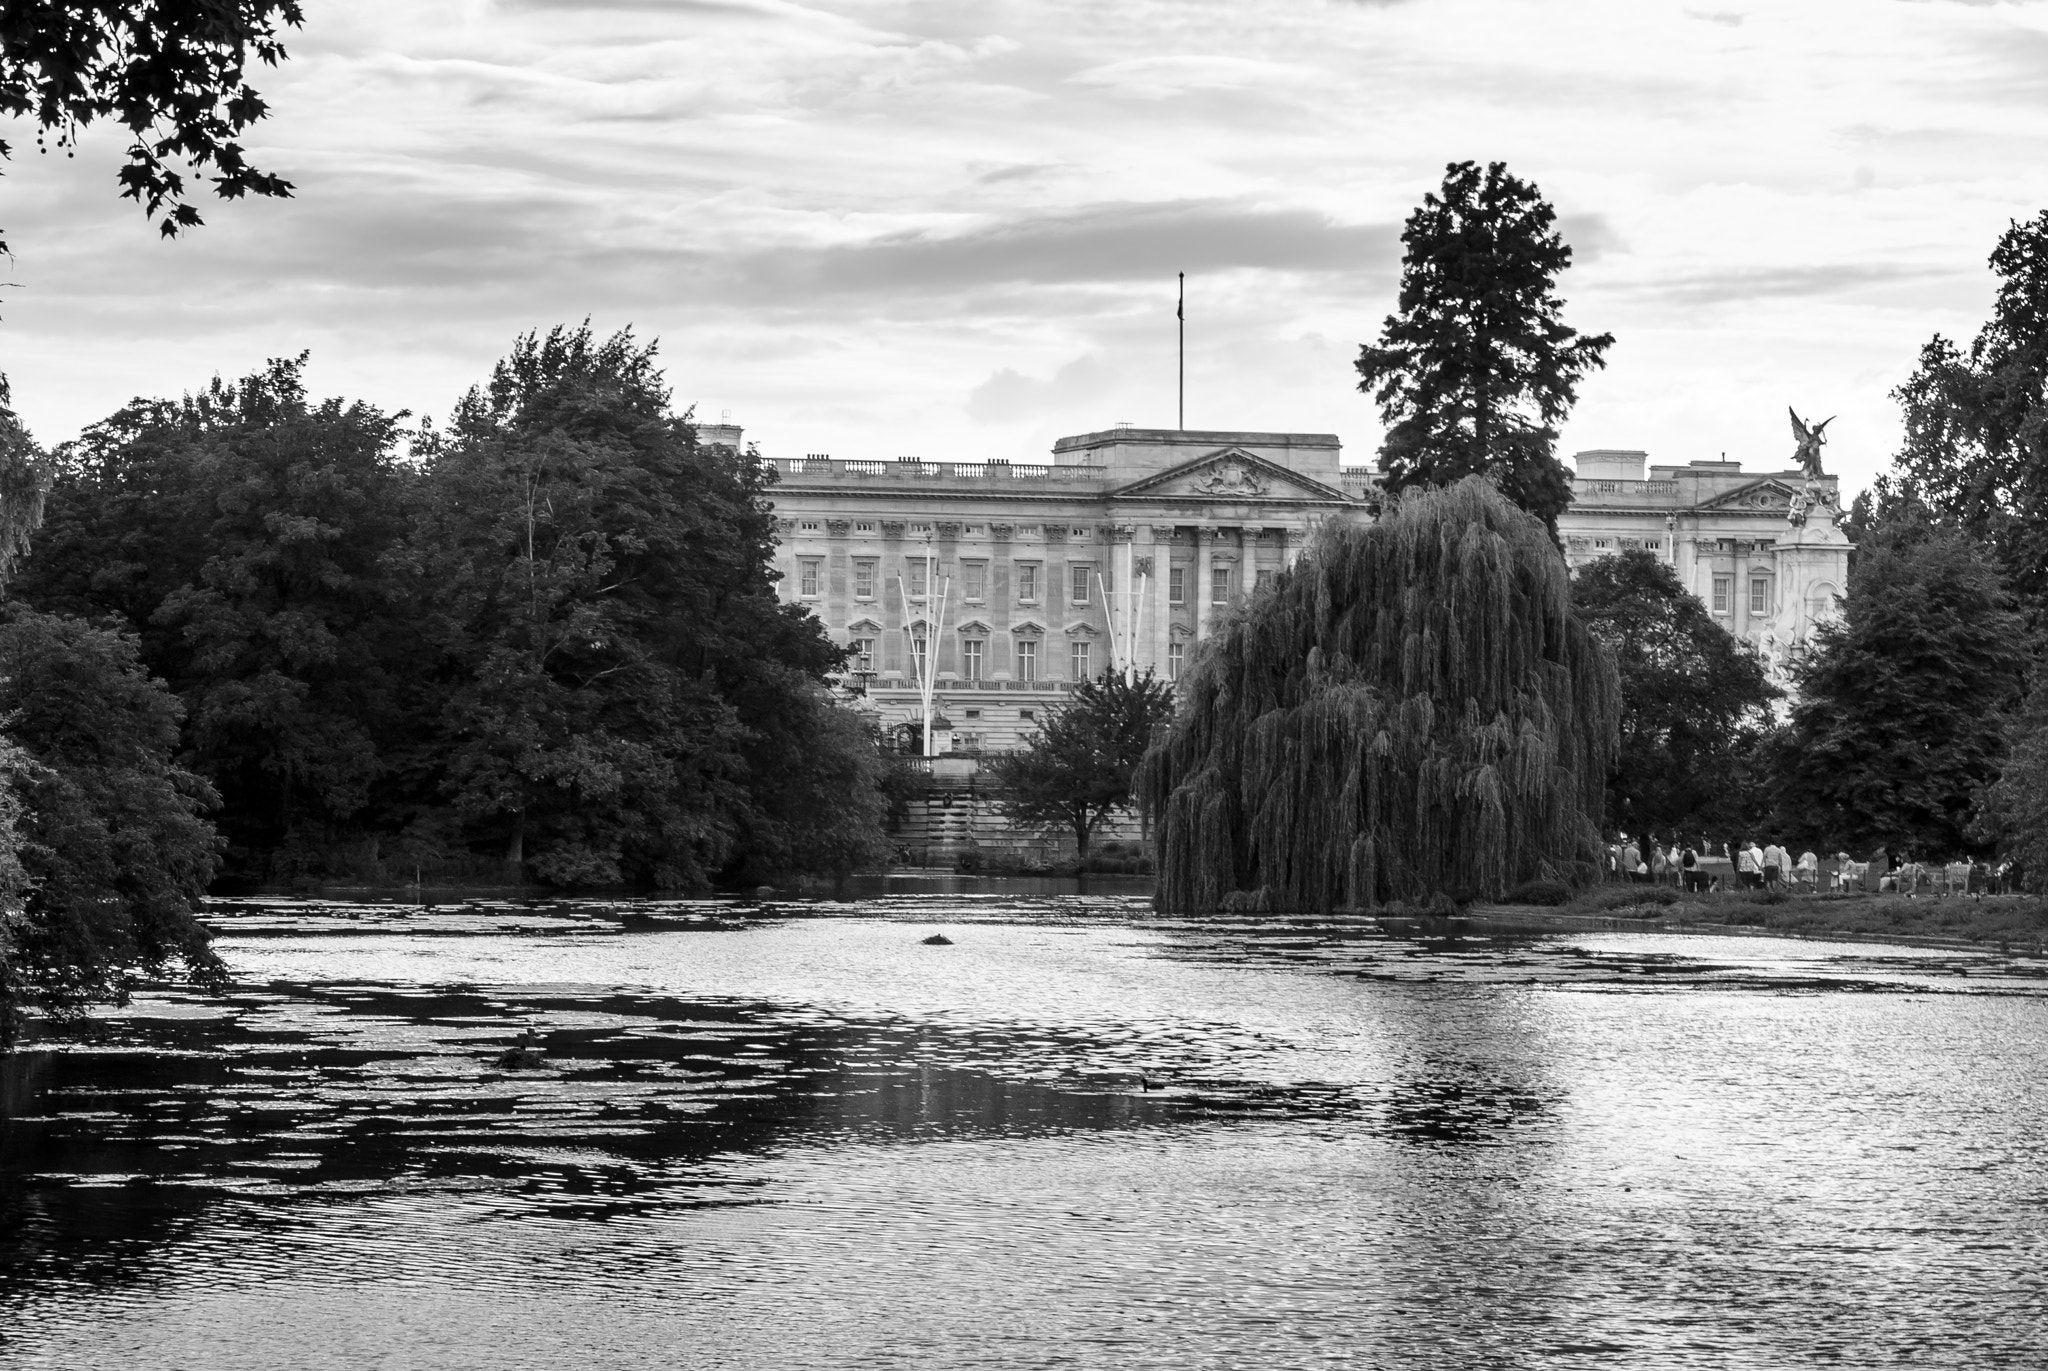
{"x":1758,"y":548}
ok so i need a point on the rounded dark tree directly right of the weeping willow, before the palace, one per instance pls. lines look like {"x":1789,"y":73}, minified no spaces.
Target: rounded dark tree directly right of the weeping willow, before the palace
{"x":1695,"y":700}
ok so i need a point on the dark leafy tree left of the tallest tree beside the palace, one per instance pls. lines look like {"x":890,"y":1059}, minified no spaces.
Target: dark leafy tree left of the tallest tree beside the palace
{"x":247,"y":534}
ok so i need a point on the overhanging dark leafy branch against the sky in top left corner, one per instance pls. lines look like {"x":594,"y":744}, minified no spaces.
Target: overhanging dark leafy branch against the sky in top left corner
{"x":173,"y":73}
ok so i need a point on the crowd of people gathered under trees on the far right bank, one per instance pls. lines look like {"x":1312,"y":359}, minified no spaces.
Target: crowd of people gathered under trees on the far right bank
{"x":1770,"y":868}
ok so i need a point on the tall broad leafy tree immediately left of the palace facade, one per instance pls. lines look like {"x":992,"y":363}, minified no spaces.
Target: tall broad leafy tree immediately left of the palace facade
{"x":615,"y":661}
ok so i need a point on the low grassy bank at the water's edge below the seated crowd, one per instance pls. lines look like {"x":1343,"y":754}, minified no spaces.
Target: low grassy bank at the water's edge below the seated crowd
{"x":2014,"y":921}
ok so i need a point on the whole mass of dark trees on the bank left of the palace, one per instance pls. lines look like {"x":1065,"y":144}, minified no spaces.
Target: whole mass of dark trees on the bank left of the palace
{"x":546,"y":645}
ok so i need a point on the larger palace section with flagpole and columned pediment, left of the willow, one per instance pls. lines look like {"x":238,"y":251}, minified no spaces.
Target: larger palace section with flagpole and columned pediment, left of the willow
{"x":1025,"y":579}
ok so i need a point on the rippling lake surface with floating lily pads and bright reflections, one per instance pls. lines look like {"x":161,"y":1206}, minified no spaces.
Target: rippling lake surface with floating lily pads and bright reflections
{"x":798,"y":1136}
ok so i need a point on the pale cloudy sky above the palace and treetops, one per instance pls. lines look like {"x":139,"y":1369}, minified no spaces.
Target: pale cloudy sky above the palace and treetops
{"x":951,"y":231}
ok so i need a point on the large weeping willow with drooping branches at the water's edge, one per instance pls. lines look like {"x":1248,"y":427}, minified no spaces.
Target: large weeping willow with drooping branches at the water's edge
{"x":1412,"y":712}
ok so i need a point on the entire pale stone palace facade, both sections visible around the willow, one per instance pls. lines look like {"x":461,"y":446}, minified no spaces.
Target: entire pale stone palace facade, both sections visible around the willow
{"x":1009,"y":583}
